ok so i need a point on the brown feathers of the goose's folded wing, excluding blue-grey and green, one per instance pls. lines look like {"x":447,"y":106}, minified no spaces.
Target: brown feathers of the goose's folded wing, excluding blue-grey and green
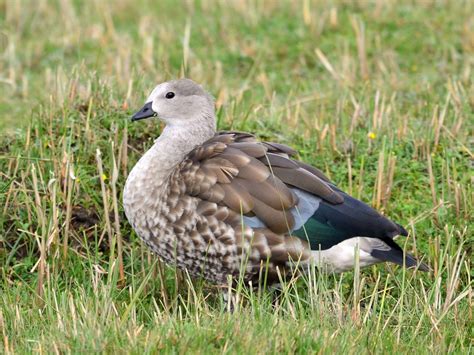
{"x":233,"y":169}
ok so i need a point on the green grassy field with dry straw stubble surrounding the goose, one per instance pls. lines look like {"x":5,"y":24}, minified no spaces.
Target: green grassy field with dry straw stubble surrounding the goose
{"x":378,"y":94}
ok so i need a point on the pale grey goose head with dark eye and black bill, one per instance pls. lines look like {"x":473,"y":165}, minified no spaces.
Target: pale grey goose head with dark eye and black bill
{"x":179,"y":103}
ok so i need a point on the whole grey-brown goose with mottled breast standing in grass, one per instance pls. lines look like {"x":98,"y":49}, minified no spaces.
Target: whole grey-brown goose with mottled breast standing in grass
{"x":225,"y":205}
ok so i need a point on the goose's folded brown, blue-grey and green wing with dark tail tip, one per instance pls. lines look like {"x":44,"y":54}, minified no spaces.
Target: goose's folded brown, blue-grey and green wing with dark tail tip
{"x":263,"y":184}
